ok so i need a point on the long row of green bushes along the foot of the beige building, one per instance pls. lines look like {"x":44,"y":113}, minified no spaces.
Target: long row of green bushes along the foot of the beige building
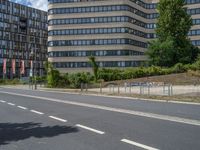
{"x":55,"y":79}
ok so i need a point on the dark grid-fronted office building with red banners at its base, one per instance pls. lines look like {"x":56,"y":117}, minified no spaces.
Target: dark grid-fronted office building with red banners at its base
{"x":23,"y":40}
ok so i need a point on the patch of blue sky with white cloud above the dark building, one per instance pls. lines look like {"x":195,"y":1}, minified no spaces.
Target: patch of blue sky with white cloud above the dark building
{"x":39,"y":4}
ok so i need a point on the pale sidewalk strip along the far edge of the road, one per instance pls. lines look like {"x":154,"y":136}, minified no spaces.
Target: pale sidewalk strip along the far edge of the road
{"x":185,"y":99}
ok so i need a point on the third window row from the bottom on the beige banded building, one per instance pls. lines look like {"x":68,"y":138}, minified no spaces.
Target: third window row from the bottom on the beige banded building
{"x":97,"y":42}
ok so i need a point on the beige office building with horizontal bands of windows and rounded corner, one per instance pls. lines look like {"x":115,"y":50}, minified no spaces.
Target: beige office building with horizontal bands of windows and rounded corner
{"x":116,"y":32}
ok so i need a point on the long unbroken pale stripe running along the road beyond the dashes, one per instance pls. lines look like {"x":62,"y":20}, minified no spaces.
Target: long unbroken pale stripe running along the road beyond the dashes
{"x":119,"y":110}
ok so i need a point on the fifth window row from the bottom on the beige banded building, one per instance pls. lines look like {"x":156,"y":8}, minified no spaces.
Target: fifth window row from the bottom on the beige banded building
{"x":96,"y":20}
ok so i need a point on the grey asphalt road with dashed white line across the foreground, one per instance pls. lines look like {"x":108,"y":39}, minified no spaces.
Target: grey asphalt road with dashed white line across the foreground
{"x":31,"y":120}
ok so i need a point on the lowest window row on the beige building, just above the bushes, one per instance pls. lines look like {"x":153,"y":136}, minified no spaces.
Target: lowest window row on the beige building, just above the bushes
{"x":101,"y":64}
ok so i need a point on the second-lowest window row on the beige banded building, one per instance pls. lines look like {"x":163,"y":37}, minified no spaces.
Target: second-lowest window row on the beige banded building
{"x":95,"y":53}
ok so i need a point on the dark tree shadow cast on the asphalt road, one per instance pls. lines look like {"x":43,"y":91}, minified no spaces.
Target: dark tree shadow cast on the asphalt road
{"x":19,"y":131}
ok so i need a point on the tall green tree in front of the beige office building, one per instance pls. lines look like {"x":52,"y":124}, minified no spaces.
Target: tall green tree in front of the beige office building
{"x":173,"y":45}
